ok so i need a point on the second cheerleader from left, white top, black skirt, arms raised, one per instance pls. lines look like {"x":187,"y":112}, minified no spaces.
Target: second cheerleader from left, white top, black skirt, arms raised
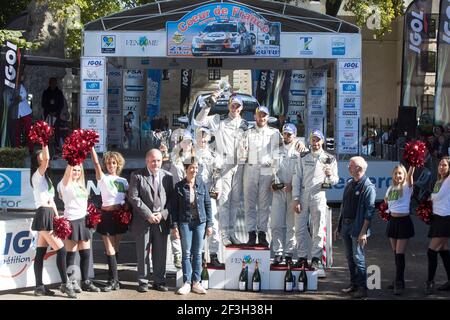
{"x":72,"y":191}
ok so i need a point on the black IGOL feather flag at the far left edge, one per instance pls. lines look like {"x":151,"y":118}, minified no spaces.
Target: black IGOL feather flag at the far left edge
{"x":9,"y":88}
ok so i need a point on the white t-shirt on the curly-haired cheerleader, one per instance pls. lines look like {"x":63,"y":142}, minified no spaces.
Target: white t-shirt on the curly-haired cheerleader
{"x":113,"y":189}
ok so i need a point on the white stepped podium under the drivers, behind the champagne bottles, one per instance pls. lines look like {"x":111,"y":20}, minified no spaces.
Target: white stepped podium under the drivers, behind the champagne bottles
{"x":272,"y":278}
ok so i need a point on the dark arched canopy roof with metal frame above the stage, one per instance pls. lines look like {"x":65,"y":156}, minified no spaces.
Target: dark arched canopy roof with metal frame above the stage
{"x":154,"y":16}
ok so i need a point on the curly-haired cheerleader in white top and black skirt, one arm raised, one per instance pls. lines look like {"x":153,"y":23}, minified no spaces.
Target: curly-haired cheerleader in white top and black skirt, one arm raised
{"x":113,"y":189}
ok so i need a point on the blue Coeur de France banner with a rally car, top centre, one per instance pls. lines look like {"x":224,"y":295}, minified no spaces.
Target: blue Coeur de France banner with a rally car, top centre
{"x":223,"y":29}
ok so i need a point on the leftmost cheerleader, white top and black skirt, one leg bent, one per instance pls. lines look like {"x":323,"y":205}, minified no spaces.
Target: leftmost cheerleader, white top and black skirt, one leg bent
{"x":44,"y":193}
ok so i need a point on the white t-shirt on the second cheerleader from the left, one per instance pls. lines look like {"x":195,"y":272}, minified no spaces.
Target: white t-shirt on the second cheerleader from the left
{"x":75,"y":200}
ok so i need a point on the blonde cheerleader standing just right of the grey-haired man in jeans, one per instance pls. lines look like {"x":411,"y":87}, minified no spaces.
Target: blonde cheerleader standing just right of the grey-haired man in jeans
{"x":400,"y":227}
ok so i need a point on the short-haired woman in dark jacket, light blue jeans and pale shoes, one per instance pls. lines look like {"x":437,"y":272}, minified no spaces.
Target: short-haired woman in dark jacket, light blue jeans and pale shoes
{"x":192,"y":222}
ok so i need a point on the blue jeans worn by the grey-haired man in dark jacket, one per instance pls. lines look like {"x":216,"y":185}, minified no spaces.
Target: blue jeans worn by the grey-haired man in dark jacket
{"x":355,"y":255}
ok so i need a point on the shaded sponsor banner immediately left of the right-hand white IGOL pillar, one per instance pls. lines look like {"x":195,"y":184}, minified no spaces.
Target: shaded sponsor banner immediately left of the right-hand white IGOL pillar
{"x":317,"y":101}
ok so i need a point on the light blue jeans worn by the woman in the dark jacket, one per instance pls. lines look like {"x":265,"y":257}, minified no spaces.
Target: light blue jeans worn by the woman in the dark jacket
{"x":192,"y":239}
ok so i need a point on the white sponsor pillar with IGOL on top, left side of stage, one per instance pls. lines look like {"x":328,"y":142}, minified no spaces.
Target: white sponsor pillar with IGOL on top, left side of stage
{"x":93,"y":102}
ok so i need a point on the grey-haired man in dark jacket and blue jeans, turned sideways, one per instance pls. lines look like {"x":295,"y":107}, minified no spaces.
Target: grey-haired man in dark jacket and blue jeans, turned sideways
{"x":357,"y":210}
